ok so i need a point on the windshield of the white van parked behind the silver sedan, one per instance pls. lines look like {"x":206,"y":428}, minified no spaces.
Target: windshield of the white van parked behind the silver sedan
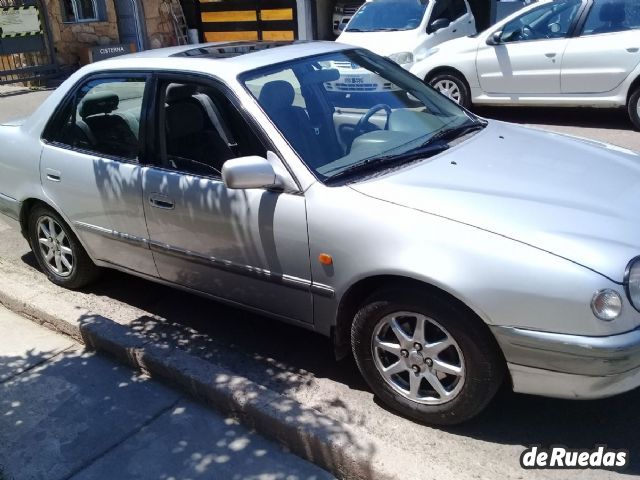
{"x":388,"y":15}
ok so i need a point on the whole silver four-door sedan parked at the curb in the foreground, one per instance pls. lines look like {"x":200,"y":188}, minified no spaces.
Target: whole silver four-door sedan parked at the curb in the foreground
{"x":448,"y":253}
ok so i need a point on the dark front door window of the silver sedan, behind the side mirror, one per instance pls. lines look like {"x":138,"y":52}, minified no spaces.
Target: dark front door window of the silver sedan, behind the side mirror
{"x":201,"y":129}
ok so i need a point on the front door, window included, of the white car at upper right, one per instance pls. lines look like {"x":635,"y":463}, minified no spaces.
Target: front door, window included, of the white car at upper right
{"x":527,"y":59}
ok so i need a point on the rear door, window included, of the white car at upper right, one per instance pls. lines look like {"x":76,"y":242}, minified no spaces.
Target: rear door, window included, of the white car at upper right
{"x":607,"y":50}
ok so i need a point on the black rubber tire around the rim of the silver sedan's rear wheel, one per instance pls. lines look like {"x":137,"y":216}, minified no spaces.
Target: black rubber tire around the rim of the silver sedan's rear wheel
{"x":83,"y":271}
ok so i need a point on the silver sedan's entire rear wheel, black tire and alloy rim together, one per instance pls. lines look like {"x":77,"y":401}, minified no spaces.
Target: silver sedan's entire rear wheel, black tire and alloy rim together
{"x":59,"y":253}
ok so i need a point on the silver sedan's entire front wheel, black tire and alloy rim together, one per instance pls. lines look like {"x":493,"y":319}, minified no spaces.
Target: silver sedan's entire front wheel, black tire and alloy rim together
{"x":425,"y":356}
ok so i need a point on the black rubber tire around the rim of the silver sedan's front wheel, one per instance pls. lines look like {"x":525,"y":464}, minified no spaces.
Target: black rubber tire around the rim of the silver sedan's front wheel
{"x":484,"y":366}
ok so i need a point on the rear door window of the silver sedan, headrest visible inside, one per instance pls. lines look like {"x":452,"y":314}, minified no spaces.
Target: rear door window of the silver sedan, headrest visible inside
{"x":103,"y":117}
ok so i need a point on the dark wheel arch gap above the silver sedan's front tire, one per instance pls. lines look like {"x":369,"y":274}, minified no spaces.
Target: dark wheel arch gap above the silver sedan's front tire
{"x":357,"y":293}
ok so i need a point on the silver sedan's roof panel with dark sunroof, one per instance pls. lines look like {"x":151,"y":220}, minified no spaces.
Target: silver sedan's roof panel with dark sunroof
{"x":224,"y":59}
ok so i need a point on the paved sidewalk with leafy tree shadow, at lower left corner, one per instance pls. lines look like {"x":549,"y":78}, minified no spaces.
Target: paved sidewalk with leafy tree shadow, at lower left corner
{"x":66,"y":413}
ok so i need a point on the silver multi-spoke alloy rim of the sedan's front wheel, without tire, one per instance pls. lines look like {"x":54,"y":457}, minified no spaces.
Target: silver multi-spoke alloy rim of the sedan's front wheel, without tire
{"x":418,"y":358}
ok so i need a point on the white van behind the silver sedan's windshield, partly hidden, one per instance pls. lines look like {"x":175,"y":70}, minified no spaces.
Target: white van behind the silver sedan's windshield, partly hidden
{"x":404,"y":30}
